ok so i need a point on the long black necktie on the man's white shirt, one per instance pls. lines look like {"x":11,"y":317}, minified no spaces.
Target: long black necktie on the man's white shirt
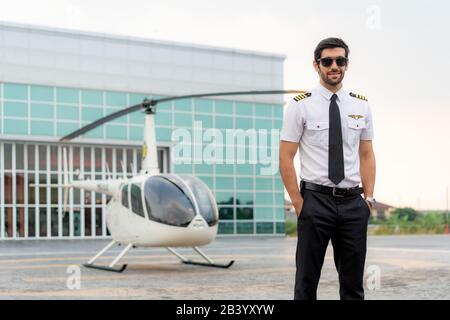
{"x":335,"y":149}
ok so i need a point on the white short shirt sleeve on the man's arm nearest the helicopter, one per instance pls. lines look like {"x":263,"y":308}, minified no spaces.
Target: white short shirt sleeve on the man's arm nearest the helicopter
{"x":292,"y":122}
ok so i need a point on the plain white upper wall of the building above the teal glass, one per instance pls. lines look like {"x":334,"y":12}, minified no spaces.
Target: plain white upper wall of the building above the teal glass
{"x":55,"y":57}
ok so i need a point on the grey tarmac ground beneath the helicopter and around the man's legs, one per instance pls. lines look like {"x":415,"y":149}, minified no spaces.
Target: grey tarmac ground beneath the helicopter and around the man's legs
{"x":397,"y":267}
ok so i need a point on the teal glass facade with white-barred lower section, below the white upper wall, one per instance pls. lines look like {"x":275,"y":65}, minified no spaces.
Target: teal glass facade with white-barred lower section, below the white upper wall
{"x":248,"y":201}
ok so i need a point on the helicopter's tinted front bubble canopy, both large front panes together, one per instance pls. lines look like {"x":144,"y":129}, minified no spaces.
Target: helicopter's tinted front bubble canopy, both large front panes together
{"x":170,"y":199}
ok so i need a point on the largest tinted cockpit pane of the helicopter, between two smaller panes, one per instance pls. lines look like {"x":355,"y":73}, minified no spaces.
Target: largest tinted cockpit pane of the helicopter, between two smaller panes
{"x":166,"y":202}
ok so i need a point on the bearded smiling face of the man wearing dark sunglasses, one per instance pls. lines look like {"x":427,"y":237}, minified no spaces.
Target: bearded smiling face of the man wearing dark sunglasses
{"x":332,"y":75}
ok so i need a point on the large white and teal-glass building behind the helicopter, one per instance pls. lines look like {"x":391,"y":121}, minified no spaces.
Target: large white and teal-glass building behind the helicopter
{"x":53,"y":81}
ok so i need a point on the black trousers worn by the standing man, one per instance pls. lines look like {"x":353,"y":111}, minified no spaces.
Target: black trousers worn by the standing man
{"x":344,"y":222}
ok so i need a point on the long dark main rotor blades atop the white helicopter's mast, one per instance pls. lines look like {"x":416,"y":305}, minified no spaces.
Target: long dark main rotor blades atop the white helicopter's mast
{"x":151,"y":103}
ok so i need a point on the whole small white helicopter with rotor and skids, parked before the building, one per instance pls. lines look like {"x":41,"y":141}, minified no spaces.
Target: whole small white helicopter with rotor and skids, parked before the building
{"x":152,"y":209}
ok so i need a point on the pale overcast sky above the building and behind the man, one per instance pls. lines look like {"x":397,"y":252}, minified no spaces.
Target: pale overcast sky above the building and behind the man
{"x":398,"y":59}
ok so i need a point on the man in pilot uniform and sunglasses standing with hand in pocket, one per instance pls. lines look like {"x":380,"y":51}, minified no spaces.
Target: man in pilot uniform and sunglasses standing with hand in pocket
{"x":333,"y":131}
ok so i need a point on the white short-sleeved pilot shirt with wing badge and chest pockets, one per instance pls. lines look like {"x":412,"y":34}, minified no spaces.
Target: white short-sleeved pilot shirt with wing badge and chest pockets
{"x":307,"y":122}
